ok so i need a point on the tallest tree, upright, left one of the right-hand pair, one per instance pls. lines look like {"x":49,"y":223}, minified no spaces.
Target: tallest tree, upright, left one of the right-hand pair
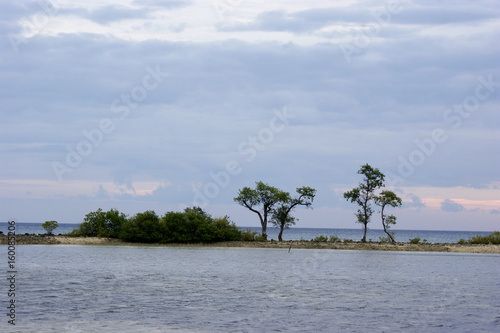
{"x":364,"y":194}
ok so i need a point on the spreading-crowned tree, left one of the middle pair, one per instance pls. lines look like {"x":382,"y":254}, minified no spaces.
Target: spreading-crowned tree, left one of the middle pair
{"x":261,"y":201}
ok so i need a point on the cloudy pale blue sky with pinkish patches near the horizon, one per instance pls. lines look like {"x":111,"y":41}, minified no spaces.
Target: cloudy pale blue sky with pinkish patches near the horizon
{"x":167,"y":104}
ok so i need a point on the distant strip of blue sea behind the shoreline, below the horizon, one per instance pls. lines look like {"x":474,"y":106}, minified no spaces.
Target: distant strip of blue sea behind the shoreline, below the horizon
{"x":302,"y":233}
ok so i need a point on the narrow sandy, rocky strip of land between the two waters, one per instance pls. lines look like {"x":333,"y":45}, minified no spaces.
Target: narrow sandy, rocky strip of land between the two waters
{"x":374,"y":246}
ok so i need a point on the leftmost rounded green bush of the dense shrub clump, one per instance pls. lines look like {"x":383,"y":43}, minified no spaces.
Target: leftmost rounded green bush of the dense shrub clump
{"x":101,"y":224}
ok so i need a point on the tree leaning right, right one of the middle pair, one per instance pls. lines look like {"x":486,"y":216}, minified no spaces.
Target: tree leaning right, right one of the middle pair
{"x":281,"y":215}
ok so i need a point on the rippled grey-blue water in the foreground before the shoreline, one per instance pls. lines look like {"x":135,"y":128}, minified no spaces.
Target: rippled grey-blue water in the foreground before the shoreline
{"x":154,"y":289}
